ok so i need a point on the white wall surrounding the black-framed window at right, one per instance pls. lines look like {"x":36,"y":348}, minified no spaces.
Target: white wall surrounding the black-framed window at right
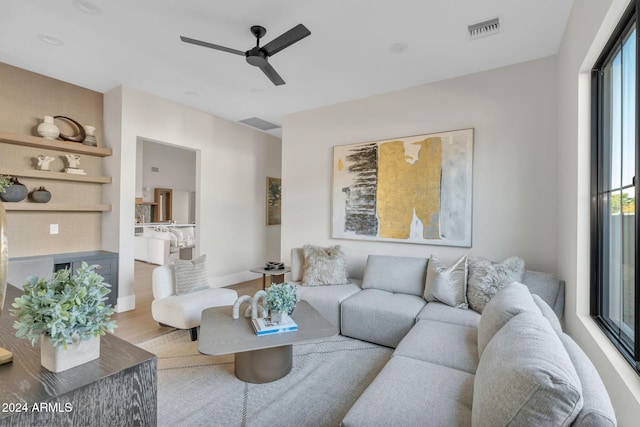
{"x":590,"y":25}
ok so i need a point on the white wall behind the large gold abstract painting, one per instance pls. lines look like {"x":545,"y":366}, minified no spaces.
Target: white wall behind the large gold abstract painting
{"x":513,"y":112}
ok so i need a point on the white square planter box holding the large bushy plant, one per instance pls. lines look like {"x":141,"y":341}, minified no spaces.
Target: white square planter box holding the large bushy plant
{"x":59,"y":359}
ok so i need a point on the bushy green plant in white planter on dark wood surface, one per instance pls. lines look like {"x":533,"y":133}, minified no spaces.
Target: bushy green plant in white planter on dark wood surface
{"x":68,"y":314}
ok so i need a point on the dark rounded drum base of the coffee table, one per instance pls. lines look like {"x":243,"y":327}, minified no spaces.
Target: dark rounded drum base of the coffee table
{"x":265,"y":365}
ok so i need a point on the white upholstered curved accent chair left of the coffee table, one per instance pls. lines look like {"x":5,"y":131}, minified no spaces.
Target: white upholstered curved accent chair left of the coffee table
{"x":183,"y":311}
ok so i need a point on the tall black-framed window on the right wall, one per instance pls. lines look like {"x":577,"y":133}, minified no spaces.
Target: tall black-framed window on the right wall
{"x":614,"y":232}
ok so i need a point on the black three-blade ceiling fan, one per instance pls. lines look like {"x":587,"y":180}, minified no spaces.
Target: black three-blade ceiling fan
{"x":258,"y":56}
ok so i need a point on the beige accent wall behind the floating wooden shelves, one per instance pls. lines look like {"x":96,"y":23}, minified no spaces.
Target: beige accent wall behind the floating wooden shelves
{"x":26,"y":98}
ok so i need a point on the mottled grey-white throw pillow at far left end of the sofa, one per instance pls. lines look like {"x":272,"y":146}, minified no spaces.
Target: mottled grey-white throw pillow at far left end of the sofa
{"x":324,"y":266}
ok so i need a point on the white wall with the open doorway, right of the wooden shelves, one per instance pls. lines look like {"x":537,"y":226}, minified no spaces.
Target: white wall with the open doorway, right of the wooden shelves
{"x":232,"y":164}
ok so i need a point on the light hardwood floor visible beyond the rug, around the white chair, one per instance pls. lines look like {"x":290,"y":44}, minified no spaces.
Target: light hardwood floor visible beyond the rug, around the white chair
{"x":137,"y":325}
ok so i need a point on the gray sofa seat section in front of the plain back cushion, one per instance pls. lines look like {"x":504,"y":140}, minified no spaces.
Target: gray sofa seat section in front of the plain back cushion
{"x":378,"y":316}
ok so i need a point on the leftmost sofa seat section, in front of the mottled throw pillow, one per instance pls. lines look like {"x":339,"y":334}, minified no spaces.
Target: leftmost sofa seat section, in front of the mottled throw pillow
{"x":327,"y":299}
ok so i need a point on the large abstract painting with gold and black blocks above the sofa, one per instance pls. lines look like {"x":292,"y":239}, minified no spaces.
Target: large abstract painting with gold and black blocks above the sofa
{"x":415,"y":189}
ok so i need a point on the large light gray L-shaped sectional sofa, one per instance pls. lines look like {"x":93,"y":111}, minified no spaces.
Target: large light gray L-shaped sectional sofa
{"x":512,"y":365}
